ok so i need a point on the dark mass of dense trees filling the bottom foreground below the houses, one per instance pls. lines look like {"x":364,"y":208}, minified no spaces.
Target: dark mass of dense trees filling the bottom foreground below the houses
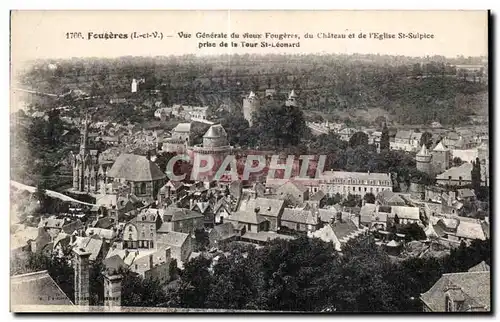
{"x":308,"y":275}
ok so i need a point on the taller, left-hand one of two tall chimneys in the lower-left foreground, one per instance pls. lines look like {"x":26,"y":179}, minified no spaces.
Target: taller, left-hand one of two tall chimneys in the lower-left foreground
{"x":81,"y":267}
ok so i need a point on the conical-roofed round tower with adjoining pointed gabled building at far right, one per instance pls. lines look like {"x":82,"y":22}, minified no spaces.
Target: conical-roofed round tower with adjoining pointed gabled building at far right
{"x":434,"y":162}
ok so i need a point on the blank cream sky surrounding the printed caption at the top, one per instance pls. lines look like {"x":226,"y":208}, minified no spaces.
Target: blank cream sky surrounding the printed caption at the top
{"x":42,"y":34}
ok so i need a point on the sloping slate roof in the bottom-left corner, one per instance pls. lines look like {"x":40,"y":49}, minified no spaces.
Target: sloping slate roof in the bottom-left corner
{"x":36,"y":288}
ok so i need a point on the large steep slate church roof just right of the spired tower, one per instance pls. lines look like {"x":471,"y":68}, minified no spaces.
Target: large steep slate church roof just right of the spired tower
{"x":135,"y":168}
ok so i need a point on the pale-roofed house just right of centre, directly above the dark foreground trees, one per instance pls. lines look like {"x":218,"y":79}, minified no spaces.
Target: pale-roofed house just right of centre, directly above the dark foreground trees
{"x":301,"y":219}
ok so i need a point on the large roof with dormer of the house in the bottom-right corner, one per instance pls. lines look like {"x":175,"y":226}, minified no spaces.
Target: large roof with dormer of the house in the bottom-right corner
{"x":459,"y":292}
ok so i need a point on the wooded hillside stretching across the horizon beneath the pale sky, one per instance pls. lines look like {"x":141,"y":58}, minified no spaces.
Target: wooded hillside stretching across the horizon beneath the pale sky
{"x":405,"y":90}
